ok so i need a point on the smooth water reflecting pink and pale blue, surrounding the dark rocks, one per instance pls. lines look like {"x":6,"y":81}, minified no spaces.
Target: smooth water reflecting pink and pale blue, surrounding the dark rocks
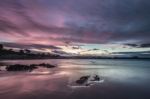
{"x":120,"y":79}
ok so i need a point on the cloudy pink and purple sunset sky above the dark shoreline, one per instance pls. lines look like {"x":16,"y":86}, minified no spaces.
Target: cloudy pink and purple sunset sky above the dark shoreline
{"x":77,"y":27}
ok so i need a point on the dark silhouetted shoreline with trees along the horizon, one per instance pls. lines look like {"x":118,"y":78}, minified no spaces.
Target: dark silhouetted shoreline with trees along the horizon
{"x":9,"y":54}
